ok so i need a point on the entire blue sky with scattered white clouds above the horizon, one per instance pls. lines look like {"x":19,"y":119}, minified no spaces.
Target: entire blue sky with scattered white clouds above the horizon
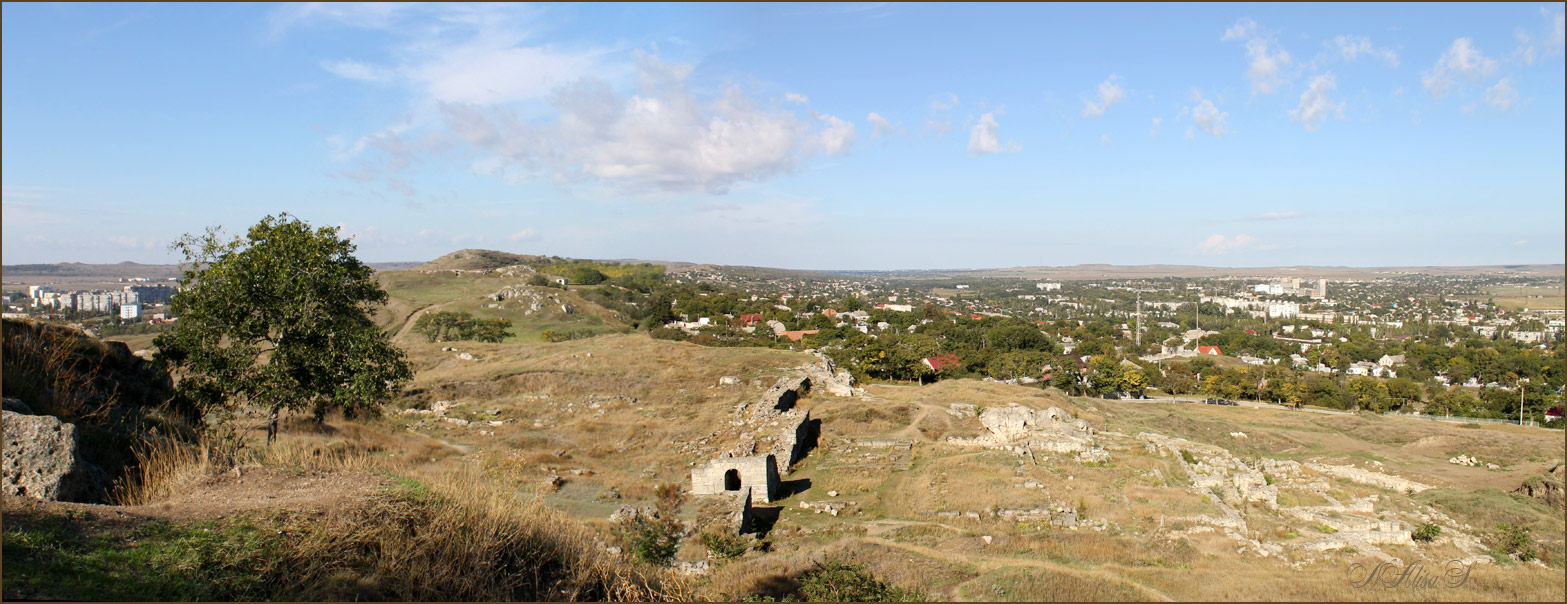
{"x":805,"y":137}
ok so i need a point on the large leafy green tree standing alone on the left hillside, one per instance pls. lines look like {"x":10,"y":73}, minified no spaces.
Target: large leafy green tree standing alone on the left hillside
{"x":280,"y":319}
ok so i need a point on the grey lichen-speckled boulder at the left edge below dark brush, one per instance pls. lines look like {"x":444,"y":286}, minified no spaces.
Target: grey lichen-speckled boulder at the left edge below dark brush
{"x":43,"y":460}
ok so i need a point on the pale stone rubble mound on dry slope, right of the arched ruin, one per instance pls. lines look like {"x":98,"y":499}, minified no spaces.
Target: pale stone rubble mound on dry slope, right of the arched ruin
{"x":1026,"y":431}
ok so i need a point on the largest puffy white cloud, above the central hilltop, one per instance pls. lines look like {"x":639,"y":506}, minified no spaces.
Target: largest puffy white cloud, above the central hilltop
{"x":664,"y":137}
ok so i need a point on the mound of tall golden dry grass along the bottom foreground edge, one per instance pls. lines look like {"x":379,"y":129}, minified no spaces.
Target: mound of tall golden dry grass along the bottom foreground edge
{"x":463,"y":542}
